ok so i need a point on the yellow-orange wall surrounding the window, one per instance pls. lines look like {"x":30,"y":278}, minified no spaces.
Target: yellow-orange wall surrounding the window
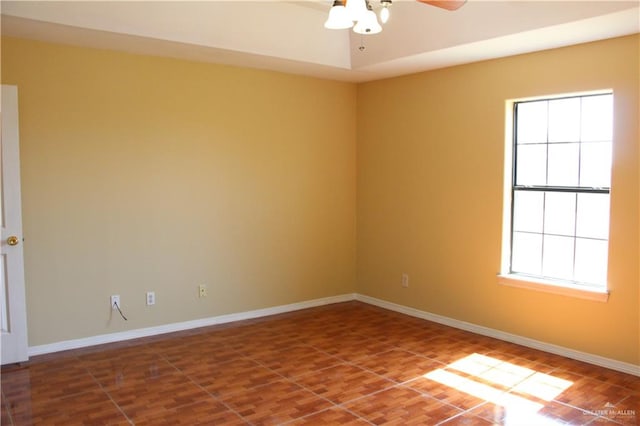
{"x":430,"y":191}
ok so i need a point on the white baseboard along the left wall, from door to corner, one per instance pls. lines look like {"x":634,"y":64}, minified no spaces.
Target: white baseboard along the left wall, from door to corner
{"x":181,"y":326}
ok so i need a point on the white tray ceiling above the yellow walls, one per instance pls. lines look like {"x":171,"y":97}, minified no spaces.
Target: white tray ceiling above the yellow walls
{"x":289,"y":36}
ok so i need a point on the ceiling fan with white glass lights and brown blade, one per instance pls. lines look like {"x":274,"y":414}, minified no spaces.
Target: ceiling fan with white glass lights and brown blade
{"x":359,"y":14}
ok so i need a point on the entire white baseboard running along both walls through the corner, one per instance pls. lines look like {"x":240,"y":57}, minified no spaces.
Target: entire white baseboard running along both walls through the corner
{"x":222,"y":319}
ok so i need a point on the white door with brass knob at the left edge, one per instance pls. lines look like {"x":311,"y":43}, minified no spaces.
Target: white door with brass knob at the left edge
{"x":14,"y":309}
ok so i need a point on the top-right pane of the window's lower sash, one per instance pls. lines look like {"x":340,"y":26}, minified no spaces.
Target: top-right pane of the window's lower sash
{"x":593,"y":216}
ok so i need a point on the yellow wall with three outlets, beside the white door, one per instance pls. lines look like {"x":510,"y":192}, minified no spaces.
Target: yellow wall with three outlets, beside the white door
{"x":144,"y":173}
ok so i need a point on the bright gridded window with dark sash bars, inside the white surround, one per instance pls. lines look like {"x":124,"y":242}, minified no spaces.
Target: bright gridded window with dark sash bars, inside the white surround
{"x":560,"y":190}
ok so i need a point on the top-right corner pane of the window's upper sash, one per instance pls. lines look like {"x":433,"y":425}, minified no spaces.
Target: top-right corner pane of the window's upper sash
{"x":597,"y":118}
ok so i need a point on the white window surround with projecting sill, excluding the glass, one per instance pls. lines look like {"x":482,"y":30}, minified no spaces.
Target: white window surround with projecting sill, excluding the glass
{"x":505,"y":277}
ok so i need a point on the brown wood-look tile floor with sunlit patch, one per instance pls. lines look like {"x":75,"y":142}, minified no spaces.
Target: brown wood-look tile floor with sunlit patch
{"x":347,"y":363}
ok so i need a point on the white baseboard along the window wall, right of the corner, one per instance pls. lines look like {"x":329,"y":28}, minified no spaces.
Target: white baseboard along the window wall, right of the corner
{"x":508,"y":337}
